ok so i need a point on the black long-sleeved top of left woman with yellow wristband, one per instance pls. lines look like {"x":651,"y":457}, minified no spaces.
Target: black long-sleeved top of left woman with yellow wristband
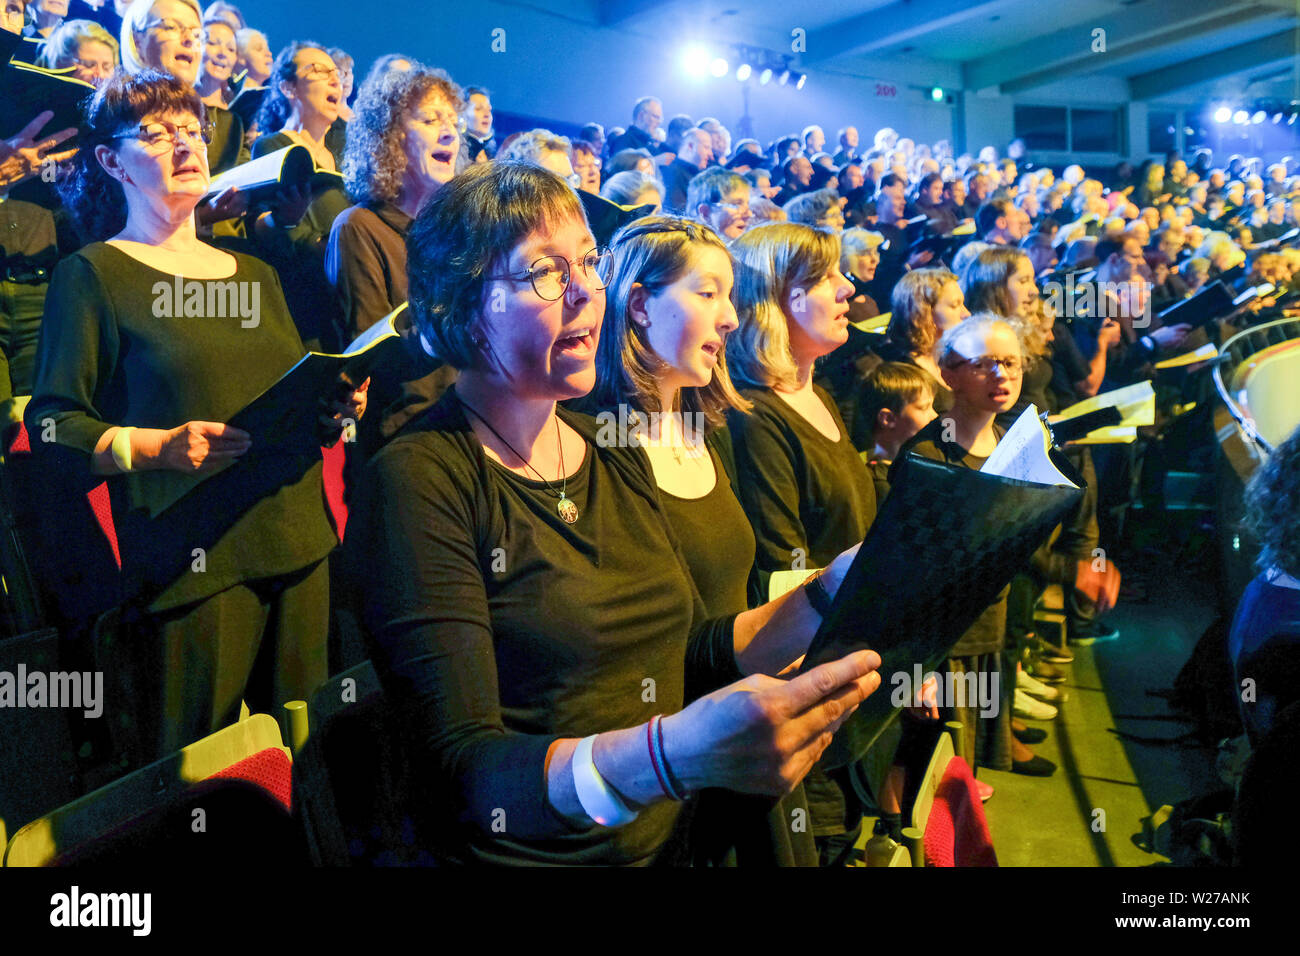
{"x":109,"y":358}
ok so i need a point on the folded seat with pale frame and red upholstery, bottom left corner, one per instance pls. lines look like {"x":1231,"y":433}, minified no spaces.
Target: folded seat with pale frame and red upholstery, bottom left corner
{"x":223,"y":799}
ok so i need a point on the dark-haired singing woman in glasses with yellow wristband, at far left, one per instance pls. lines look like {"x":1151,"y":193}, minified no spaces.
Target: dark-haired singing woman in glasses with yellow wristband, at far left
{"x":153,"y":341}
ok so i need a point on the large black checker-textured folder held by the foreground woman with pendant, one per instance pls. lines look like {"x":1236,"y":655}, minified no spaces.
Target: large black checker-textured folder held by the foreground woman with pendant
{"x":943,"y":547}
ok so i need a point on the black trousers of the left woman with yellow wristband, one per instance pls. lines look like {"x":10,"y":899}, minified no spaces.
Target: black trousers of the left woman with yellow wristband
{"x":176,"y":677}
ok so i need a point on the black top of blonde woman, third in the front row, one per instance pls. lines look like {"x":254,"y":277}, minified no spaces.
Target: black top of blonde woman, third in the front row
{"x":809,"y":499}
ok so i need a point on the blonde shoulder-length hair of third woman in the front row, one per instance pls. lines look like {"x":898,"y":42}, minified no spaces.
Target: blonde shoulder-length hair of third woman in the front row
{"x":772,"y":262}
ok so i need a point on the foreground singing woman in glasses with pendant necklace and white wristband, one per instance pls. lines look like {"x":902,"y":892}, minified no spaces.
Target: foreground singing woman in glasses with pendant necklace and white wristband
{"x":526,"y":596}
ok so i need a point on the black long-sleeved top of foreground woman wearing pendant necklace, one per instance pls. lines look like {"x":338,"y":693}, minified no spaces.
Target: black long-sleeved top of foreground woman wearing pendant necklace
{"x":499,"y":629}
